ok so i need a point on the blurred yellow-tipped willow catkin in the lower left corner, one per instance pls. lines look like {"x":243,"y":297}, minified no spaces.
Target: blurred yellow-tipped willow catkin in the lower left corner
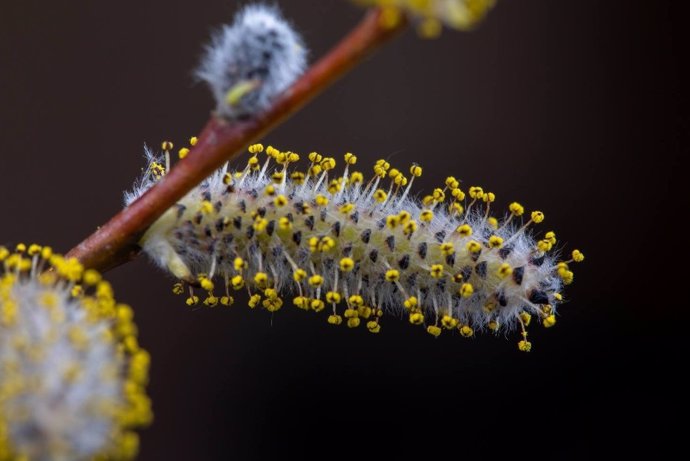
{"x":72,"y":375}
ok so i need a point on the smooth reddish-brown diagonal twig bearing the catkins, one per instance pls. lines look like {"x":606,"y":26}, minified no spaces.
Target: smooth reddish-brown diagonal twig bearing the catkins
{"x":116,"y":242}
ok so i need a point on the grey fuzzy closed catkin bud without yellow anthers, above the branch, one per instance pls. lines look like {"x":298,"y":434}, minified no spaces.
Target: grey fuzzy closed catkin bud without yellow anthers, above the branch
{"x":249,"y":62}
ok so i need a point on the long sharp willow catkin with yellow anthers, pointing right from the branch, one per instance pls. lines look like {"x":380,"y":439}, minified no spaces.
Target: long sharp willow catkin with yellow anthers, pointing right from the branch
{"x":357,"y":247}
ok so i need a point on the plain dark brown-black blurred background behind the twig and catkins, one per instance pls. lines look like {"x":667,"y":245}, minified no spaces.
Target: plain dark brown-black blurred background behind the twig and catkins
{"x":572,"y":107}
